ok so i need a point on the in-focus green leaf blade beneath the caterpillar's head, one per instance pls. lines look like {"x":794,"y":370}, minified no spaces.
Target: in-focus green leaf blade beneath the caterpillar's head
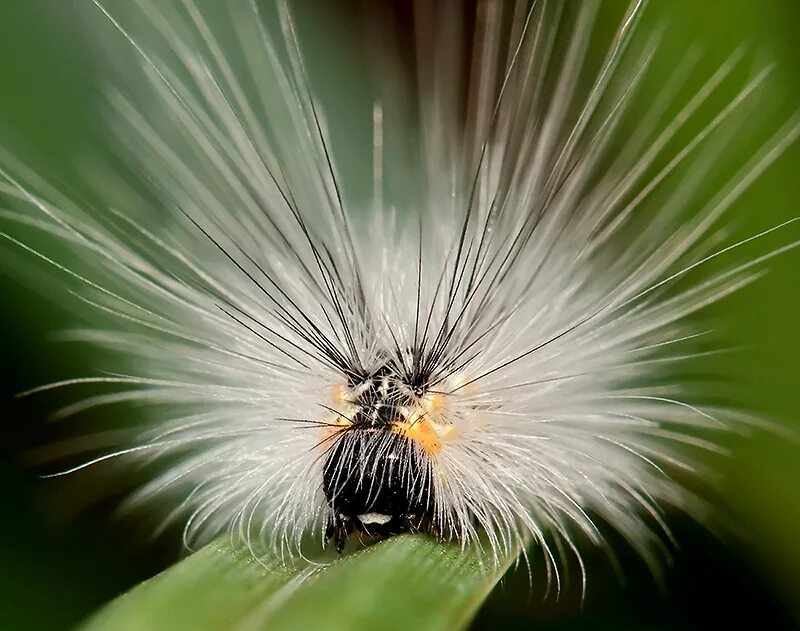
{"x":405,"y":582}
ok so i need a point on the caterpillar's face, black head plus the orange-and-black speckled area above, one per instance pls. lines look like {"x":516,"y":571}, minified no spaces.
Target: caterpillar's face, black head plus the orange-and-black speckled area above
{"x":377,"y":475}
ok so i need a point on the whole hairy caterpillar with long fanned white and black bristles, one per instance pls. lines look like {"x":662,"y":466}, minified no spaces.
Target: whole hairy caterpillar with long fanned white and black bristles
{"x":482,"y":361}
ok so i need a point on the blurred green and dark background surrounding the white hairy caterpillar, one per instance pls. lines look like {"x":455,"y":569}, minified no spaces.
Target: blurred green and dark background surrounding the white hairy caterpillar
{"x":58,"y":563}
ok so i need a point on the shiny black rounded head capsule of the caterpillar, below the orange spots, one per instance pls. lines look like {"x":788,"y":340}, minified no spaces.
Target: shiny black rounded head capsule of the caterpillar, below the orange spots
{"x":377,"y":482}
